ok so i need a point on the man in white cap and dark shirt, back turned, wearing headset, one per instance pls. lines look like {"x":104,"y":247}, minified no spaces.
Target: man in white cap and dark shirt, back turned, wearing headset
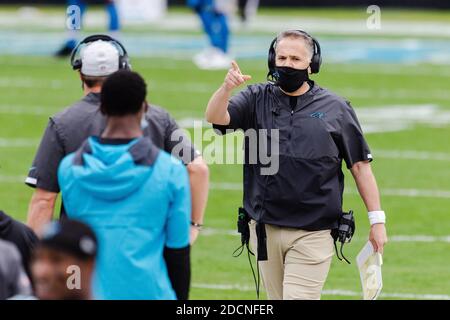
{"x":96,"y":57}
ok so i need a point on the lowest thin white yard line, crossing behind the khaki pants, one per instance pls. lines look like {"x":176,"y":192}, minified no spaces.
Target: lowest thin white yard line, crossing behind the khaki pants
{"x":335,"y":292}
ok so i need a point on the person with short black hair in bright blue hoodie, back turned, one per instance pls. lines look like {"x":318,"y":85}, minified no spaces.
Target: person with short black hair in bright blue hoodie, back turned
{"x":135,"y":196}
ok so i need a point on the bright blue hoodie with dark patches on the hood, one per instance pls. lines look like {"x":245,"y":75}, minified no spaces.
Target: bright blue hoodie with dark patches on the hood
{"x":137,"y":199}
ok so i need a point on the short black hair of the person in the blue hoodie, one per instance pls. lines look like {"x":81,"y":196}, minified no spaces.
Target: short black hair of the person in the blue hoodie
{"x":123,"y":93}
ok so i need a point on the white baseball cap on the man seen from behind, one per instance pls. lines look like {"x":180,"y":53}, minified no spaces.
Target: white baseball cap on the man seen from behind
{"x":99,"y":58}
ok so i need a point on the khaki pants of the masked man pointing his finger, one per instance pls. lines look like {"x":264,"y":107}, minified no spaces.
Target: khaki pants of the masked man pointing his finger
{"x":298,"y":262}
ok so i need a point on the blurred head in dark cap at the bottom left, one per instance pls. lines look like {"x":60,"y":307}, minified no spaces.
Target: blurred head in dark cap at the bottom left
{"x":63,"y":262}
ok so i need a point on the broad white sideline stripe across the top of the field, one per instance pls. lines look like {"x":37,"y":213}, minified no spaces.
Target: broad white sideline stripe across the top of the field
{"x":180,"y":21}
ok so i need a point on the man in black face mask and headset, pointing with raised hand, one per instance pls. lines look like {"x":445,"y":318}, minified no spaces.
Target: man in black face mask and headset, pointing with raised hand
{"x":299,"y":205}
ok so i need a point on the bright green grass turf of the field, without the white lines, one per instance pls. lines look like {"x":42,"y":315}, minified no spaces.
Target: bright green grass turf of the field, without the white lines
{"x":32,"y":88}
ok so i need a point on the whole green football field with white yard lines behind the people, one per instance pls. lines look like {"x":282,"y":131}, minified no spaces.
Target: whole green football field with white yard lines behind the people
{"x":403,"y":107}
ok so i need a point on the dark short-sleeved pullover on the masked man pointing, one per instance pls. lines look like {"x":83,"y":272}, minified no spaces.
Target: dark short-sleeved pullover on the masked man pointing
{"x":306,"y":143}
